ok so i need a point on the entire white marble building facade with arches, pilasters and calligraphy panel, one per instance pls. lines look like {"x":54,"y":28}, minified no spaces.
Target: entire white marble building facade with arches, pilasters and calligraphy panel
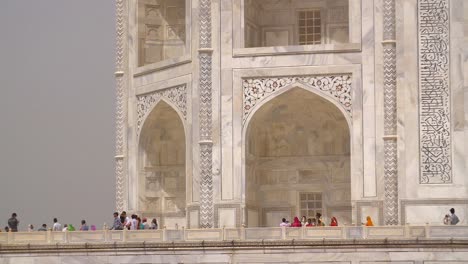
{"x":241,"y":112}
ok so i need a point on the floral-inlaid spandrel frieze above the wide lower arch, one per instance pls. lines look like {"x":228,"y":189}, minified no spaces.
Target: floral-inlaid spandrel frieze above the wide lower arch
{"x":337,"y":87}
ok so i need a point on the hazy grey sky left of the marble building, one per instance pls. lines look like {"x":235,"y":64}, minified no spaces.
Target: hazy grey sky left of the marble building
{"x":57,"y":111}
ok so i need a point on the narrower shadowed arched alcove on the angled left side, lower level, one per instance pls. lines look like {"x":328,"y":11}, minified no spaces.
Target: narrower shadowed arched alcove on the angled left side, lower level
{"x":162,"y":162}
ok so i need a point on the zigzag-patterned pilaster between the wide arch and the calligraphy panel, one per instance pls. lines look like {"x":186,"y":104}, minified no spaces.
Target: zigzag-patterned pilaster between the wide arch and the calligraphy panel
{"x":390,"y":115}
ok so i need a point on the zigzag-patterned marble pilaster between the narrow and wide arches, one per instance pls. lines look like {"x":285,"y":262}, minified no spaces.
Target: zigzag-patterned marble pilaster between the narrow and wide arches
{"x":205,"y":94}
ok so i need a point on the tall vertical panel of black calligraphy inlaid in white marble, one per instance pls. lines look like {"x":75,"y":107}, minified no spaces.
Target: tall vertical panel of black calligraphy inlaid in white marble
{"x":434,"y":79}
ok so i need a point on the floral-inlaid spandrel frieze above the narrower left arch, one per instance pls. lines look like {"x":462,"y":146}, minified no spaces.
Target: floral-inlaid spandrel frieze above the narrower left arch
{"x":177,"y":95}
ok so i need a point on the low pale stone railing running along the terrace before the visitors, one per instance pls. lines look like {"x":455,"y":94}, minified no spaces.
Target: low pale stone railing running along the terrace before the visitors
{"x":239,"y":234}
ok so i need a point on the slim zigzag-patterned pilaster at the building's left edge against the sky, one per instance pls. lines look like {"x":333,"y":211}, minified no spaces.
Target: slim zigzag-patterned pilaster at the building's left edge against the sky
{"x":120,"y":106}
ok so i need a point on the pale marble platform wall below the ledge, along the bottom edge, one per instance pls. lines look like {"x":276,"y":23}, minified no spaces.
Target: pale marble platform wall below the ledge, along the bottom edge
{"x":299,"y":256}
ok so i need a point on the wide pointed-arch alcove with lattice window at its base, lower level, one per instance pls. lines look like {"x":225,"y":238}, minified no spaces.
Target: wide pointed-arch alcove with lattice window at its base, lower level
{"x":297,"y":160}
